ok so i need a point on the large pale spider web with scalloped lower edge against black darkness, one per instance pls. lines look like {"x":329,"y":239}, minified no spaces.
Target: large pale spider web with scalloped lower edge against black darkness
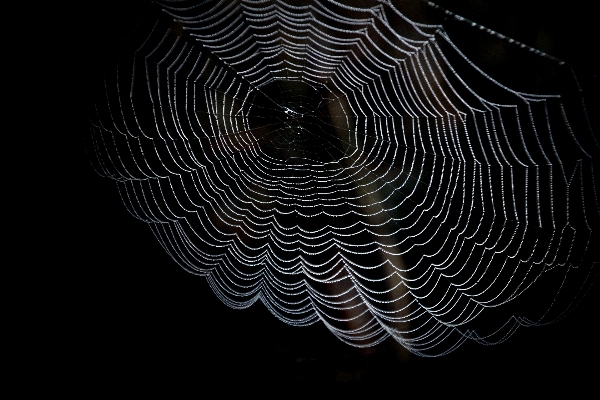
{"x":343,"y":163}
